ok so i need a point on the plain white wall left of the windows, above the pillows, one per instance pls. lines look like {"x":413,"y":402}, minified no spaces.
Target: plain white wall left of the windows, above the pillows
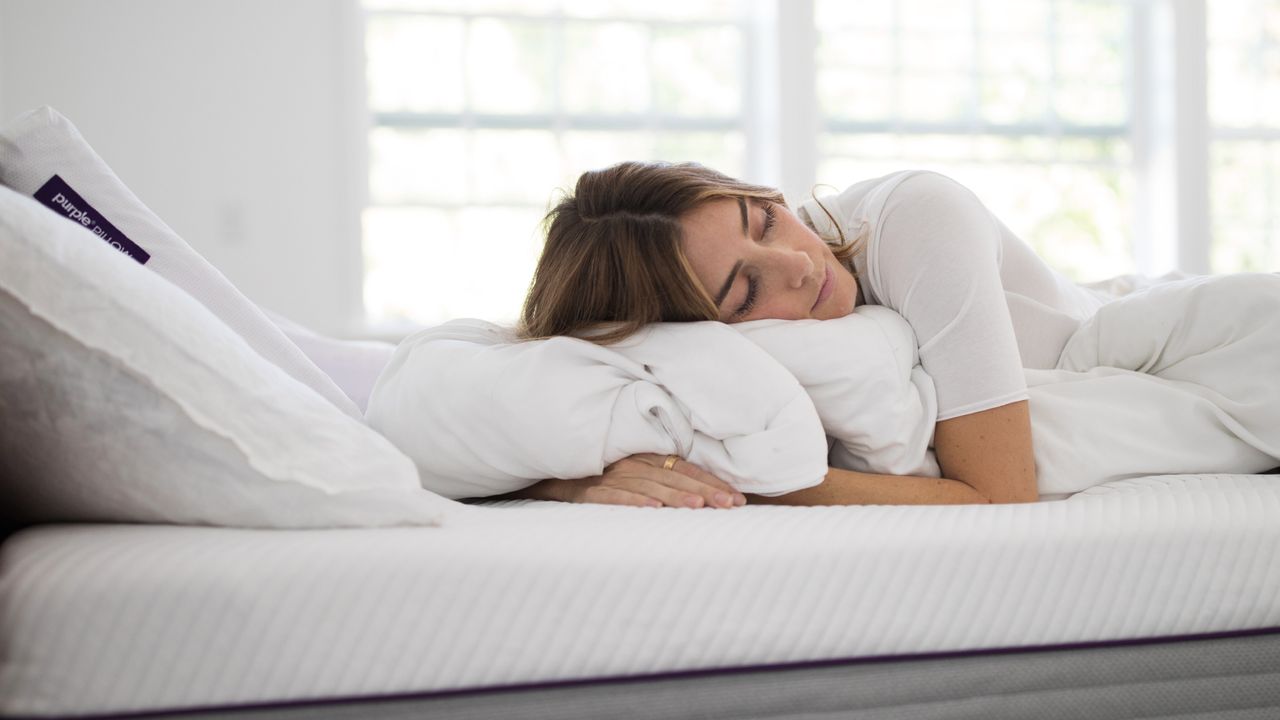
{"x":239,"y":122}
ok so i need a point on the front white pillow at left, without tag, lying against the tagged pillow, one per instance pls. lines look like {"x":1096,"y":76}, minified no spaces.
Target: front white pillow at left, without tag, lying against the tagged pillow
{"x":124,"y":399}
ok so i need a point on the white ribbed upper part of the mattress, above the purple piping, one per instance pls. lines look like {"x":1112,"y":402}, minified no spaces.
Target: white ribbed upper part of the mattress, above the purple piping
{"x":126,"y":618}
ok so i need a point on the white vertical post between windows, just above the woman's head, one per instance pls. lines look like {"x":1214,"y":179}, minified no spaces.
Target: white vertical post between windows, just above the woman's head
{"x":797,"y":98}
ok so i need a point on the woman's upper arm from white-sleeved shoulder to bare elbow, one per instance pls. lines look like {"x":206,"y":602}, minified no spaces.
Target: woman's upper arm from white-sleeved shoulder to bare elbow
{"x":938,"y":262}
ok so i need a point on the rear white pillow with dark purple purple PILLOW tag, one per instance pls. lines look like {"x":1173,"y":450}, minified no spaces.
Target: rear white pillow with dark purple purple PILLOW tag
{"x":43,"y":156}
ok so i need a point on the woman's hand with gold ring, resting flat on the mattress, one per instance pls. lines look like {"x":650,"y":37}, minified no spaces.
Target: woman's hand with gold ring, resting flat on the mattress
{"x":642,"y":481}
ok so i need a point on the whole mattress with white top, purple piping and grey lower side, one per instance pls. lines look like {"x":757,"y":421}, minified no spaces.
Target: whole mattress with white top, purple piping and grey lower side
{"x":1155,"y":598}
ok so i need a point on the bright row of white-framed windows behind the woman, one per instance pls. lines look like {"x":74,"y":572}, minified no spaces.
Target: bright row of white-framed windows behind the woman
{"x":1067,"y":117}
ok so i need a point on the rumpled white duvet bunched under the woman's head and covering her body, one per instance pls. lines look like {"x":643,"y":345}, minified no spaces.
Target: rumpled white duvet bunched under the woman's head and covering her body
{"x":1183,"y":377}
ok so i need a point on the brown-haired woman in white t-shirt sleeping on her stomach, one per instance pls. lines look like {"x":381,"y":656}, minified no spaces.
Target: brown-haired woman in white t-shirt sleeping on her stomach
{"x":639,"y":244}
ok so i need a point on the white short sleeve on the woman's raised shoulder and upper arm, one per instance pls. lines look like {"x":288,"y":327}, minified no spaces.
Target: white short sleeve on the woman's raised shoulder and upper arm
{"x":934,"y":256}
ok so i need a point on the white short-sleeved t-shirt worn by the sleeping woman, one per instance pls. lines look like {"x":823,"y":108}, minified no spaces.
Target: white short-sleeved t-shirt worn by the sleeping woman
{"x":984,"y":306}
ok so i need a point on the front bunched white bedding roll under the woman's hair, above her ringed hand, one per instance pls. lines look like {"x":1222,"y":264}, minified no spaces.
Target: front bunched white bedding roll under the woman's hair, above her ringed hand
{"x":483,"y":414}
